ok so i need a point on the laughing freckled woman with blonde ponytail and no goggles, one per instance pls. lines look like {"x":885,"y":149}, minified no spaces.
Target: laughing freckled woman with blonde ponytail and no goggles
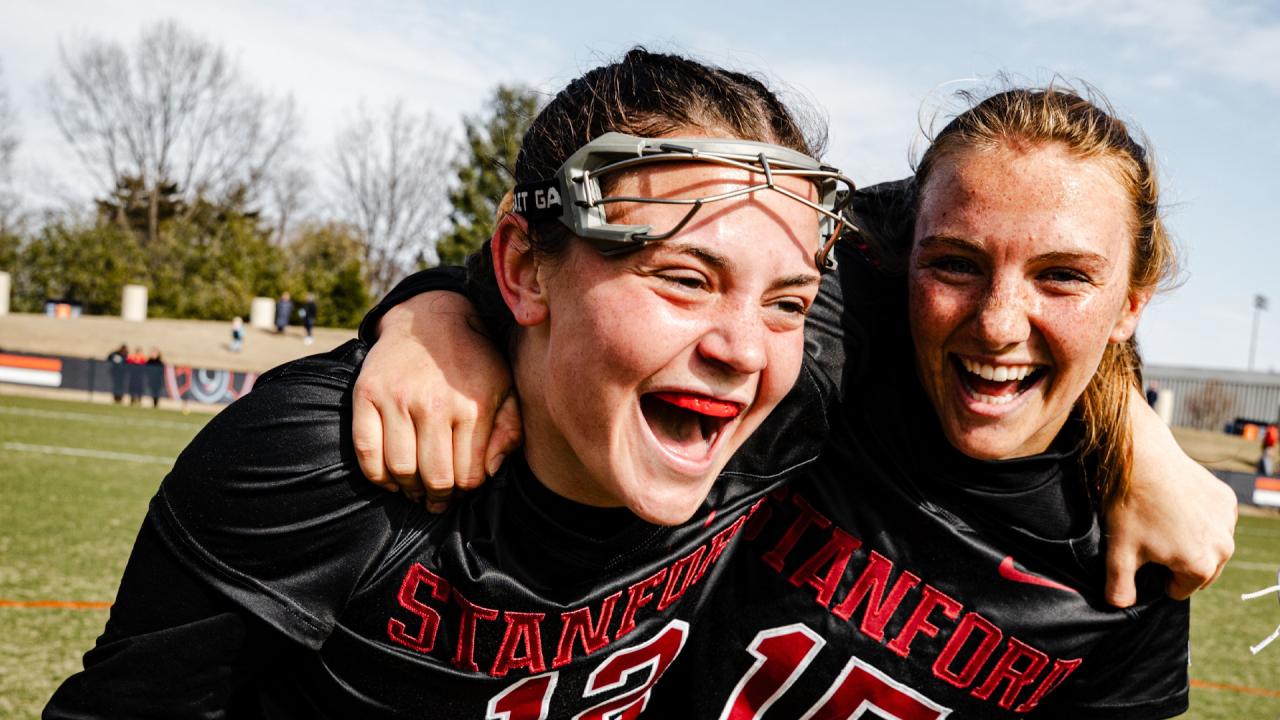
{"x":945,"y":554}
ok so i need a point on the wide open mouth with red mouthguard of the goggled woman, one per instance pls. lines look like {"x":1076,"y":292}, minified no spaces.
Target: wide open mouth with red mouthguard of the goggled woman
{"x":688,"y":425}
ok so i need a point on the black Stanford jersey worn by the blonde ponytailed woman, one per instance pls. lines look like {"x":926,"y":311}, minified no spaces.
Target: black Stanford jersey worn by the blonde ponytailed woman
{"x":902,"y":577}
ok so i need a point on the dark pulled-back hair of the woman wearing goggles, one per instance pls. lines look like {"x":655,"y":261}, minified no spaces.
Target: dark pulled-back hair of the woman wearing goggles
{"x":648,"y":95}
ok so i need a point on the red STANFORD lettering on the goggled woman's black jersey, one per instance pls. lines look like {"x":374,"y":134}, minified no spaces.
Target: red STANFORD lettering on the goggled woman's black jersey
{"x":431,"y":605}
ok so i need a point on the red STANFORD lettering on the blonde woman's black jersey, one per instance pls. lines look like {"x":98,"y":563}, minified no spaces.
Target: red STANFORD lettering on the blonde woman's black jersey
{"x":970,"y":651}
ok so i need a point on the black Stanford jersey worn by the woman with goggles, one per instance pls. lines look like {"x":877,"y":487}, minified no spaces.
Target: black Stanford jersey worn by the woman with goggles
{"x":272,"y":580}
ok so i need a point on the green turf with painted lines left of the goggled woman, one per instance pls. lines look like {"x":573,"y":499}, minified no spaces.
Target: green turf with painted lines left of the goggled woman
{"x":67,"y":525}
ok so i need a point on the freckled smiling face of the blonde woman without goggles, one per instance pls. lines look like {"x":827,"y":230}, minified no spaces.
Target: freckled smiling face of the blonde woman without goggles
{"x":1020,"y":279}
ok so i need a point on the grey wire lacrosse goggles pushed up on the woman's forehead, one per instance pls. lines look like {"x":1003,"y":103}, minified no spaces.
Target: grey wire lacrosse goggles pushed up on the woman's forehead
{"x":575,"y":198}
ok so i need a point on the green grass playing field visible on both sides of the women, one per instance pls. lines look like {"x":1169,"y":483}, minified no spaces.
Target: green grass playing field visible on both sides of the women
{"x":76,"y":480}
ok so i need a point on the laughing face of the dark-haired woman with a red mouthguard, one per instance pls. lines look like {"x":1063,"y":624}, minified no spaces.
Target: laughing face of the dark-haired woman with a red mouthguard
{"x":639,"y":376}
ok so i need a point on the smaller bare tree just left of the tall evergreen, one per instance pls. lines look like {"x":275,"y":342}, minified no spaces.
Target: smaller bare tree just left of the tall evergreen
{"x":391,"y":179}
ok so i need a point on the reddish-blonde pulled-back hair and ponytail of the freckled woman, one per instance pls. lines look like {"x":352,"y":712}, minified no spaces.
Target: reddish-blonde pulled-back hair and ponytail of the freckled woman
{"x":1087,"y":127}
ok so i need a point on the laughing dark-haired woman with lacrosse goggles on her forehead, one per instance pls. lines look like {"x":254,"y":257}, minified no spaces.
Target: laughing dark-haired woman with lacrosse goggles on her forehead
{"x":650,"y":275}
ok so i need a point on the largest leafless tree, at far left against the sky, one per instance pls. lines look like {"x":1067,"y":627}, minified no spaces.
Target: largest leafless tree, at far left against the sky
{"x":172,"y":111}
